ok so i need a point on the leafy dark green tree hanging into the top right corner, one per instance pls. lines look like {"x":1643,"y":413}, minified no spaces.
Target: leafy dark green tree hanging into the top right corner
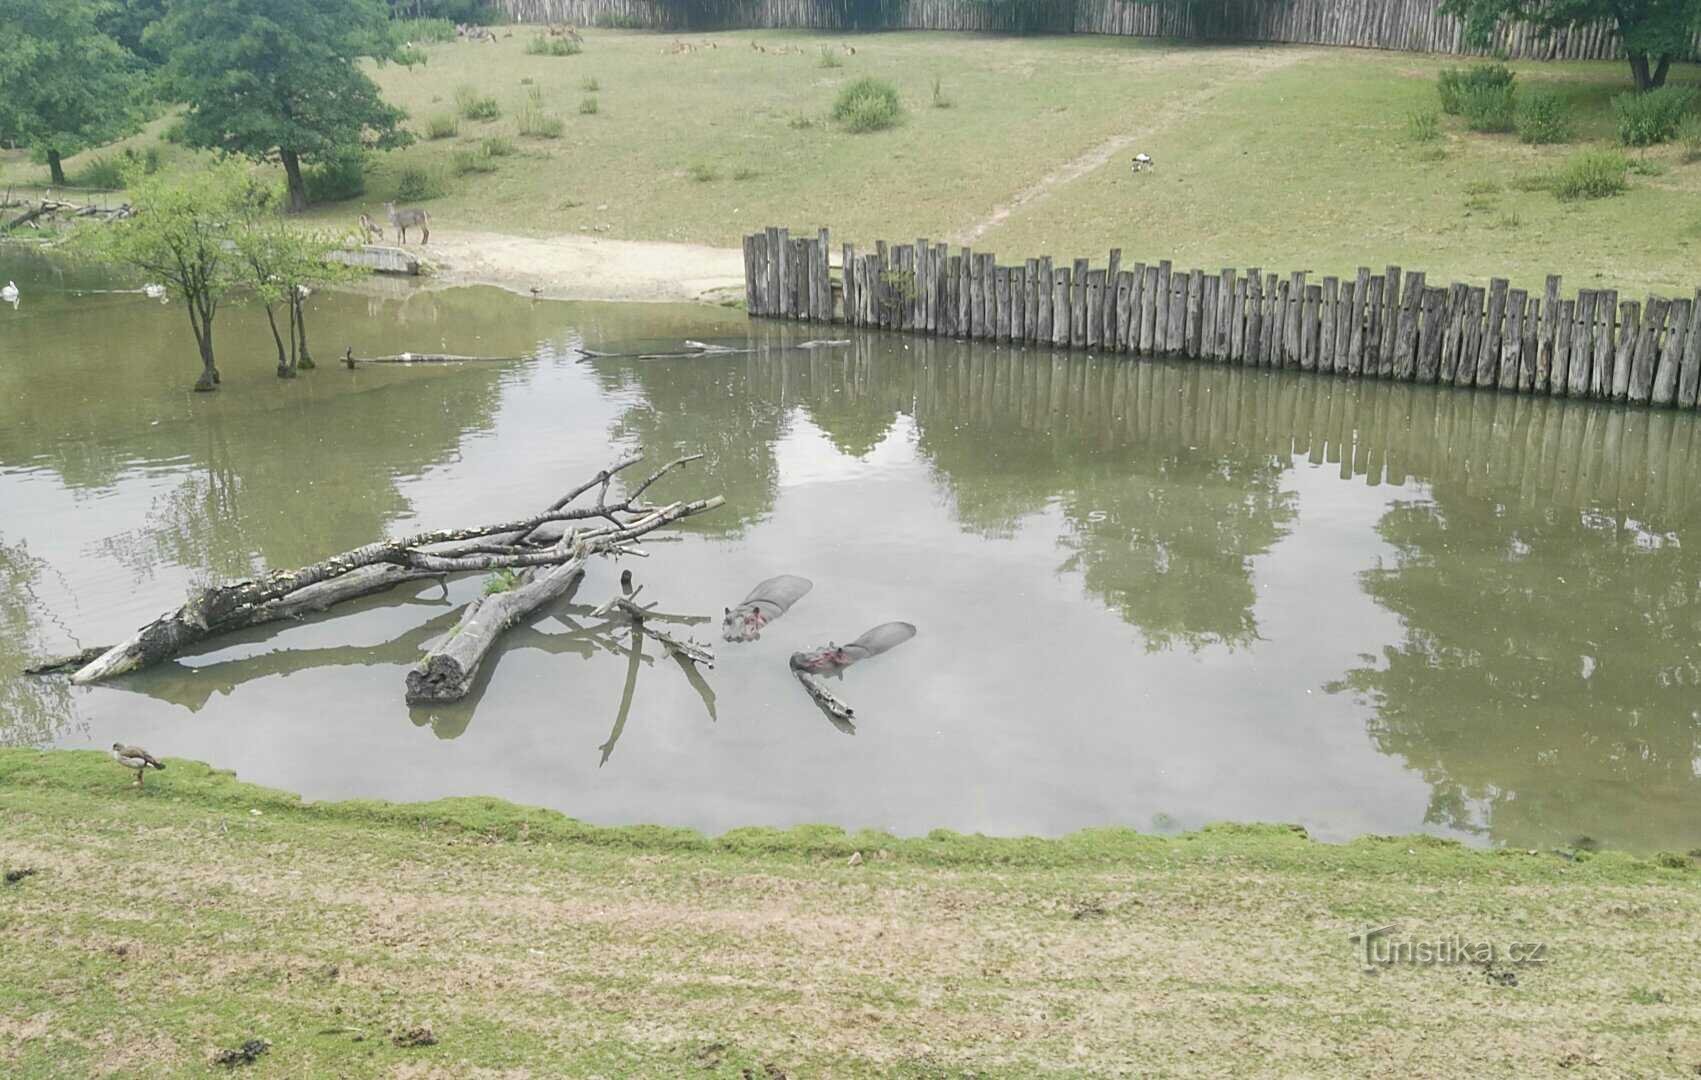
{"x":1654,"y":31}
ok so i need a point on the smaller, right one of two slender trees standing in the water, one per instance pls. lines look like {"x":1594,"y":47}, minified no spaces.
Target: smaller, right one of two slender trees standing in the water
{"x":282,"y":266}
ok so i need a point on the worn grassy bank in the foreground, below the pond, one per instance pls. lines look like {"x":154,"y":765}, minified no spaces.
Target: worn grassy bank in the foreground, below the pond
{"x":161,"y":926}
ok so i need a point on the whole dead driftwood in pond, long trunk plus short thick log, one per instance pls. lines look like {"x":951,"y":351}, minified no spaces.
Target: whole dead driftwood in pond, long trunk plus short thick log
{"x":549,"y":547}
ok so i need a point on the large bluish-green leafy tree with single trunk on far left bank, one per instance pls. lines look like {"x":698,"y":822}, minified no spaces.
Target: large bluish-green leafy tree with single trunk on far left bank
{"x":280,"y":81}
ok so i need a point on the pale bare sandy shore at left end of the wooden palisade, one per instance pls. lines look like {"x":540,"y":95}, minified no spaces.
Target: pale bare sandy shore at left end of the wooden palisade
{"x":586,"y":268}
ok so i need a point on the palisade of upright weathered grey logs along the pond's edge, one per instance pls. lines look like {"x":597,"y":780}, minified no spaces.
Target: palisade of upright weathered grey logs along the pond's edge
{"x":1391,"y":326}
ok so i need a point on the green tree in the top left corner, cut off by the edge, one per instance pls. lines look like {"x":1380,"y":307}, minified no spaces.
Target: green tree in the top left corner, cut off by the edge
{"x":67,"y":84}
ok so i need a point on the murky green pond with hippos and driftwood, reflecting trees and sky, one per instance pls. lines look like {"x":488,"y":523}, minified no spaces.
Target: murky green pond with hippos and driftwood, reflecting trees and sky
{"x":1146,"y":594}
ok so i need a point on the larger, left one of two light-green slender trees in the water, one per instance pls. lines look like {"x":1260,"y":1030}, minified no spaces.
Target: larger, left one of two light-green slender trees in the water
{"x":181,"y":237}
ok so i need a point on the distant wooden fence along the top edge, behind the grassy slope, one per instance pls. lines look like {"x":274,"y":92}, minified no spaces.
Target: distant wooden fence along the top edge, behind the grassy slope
{"x":1413,"y":26}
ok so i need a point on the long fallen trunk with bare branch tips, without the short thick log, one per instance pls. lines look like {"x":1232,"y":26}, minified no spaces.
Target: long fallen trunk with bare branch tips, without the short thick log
{"x":375,"y":567}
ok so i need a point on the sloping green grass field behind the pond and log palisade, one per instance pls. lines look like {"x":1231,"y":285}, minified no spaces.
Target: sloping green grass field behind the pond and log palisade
{"x":1277,"y":157}
